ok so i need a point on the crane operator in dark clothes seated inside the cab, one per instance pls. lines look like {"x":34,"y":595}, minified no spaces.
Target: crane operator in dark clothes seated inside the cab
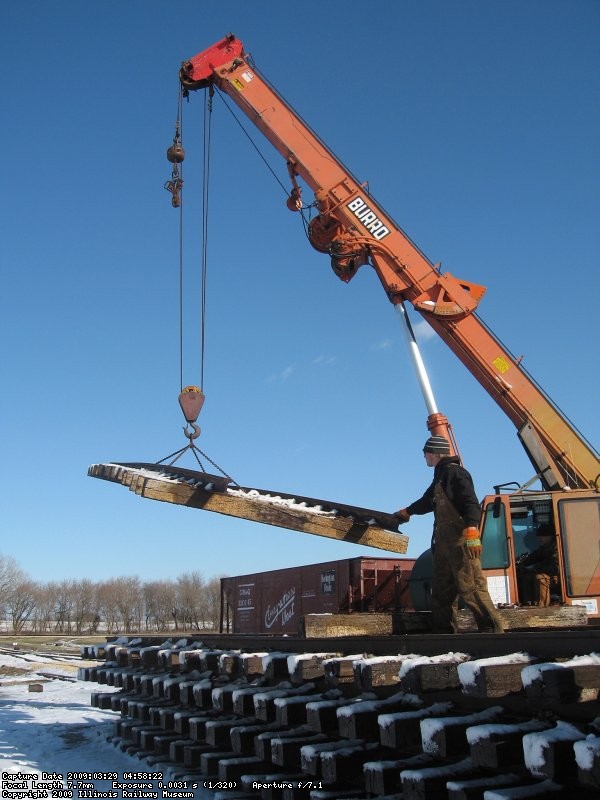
{"x":537,"y":572}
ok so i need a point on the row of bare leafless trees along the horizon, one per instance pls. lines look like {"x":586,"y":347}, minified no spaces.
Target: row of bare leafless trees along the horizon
{"x":119,"y":605}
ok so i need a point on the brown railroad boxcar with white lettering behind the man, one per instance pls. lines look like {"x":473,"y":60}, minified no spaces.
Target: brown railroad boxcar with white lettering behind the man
{"x":275,"y":601}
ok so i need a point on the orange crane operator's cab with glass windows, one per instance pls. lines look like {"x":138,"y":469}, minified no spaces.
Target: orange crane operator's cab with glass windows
{"x":509,"y":532}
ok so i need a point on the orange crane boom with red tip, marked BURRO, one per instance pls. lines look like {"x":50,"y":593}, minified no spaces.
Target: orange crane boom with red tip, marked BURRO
{"x":355,"y":230}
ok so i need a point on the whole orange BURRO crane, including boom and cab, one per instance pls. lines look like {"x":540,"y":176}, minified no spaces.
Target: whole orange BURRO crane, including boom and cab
{"x":354,"y":230}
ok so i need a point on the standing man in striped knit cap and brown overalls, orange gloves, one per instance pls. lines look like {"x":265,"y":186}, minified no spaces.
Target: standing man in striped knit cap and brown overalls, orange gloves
{"x":455,"y":545}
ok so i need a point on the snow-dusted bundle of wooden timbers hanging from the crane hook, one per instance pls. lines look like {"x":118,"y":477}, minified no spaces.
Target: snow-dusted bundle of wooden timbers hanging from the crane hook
{"x":214,"y":493}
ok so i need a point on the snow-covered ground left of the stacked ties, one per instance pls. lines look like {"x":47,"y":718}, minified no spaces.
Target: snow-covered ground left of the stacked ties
{"x":58,"y":731}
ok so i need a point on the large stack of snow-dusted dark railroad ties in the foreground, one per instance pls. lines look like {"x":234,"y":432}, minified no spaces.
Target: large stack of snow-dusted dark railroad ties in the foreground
{"x":326,"y":726}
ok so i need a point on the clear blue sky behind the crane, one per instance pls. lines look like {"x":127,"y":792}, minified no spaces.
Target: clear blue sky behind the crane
{"x":477,"y":126}
